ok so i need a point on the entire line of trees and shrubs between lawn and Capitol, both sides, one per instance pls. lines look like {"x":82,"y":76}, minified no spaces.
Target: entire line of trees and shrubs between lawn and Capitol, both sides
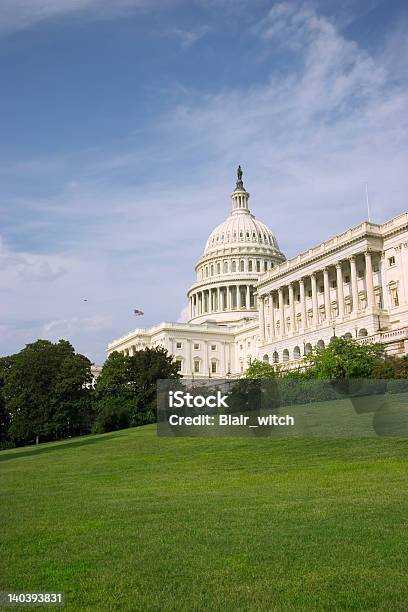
{"x":47,"y":391}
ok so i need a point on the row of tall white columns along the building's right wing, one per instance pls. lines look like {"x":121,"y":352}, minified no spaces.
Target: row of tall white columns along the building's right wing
{"x":314,"y":297}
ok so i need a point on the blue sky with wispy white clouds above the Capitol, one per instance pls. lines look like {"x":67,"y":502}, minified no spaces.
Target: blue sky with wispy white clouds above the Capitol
{"x":122,"y":125}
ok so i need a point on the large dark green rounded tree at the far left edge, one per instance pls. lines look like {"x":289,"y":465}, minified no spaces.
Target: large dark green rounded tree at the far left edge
{"x":46,"y":392}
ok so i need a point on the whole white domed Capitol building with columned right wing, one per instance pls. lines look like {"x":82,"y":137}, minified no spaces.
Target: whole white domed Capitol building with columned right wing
{"x":250,"y":302}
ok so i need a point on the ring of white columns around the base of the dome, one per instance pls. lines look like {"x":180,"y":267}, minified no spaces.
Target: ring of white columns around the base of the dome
{"x":221,"y":298}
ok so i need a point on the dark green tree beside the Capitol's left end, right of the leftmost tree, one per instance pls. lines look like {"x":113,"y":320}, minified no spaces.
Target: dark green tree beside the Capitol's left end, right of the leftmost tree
{"x":126,"y":389}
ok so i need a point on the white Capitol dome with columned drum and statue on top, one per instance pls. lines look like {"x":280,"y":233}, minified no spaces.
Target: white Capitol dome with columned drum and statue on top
{"x":236,"y":253}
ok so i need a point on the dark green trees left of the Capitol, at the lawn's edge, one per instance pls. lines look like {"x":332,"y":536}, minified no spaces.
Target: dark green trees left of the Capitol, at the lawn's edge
{"x":47,"y":392}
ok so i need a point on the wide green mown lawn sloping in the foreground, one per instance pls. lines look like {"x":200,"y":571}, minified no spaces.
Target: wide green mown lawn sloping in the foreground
{"x":130,"y":521}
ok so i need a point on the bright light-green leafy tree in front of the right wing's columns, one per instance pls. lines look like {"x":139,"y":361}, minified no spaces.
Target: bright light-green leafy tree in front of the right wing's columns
{"x":344,"y":358}
